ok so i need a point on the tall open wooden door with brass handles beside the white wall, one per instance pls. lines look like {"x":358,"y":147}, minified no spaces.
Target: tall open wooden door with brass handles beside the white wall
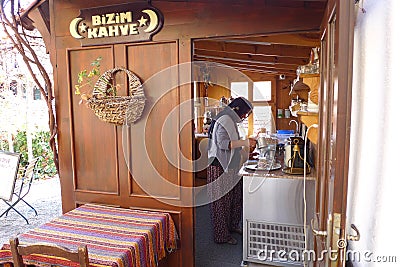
{"x":336,"y":81}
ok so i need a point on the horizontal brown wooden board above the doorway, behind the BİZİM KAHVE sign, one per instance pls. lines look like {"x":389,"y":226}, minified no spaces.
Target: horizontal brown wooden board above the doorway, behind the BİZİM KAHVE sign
{"x":198,"y":20}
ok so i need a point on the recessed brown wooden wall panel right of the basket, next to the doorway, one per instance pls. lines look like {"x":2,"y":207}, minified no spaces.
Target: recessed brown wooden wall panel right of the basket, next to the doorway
{"x":151,"y":62}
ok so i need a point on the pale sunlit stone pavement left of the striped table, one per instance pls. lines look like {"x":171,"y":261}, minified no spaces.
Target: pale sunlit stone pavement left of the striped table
{"x":44,"y":196}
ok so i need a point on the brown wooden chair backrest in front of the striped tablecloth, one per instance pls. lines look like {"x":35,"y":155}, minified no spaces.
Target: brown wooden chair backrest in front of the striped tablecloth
{"x":79,"y":256}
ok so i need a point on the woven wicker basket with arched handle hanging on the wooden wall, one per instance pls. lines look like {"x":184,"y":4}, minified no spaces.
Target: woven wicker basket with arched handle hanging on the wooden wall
{"x":117,"y":109}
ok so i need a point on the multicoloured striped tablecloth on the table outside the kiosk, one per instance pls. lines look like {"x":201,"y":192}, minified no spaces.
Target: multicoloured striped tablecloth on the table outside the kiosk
{"x":114,"y":237}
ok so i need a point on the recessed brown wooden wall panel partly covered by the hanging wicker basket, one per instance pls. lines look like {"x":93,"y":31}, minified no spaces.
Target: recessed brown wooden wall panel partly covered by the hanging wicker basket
{"x":93,"y":148}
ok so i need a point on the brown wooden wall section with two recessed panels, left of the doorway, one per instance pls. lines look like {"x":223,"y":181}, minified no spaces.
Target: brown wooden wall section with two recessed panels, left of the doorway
{"x":127,"y":166}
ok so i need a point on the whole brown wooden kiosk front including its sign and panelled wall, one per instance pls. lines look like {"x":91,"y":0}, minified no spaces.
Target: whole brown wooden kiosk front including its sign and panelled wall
{"x":93,"y":164}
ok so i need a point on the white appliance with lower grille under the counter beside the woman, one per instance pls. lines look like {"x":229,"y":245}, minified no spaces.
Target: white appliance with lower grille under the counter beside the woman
{"x":273,"y":226}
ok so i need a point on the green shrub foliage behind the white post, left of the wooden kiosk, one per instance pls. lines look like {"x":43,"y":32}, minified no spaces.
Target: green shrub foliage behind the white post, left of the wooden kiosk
{"x":41,"y":149}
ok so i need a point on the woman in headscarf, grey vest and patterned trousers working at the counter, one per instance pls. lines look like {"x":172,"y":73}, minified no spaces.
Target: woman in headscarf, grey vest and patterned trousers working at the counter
{"x":225,"y":150}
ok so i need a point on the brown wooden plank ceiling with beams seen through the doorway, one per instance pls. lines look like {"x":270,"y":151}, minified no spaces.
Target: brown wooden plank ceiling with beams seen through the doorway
{"x":273,"y":54}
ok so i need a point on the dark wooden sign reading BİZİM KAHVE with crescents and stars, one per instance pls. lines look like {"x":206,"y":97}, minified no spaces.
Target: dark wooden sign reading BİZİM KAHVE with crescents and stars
{"x":131,"y":22}
